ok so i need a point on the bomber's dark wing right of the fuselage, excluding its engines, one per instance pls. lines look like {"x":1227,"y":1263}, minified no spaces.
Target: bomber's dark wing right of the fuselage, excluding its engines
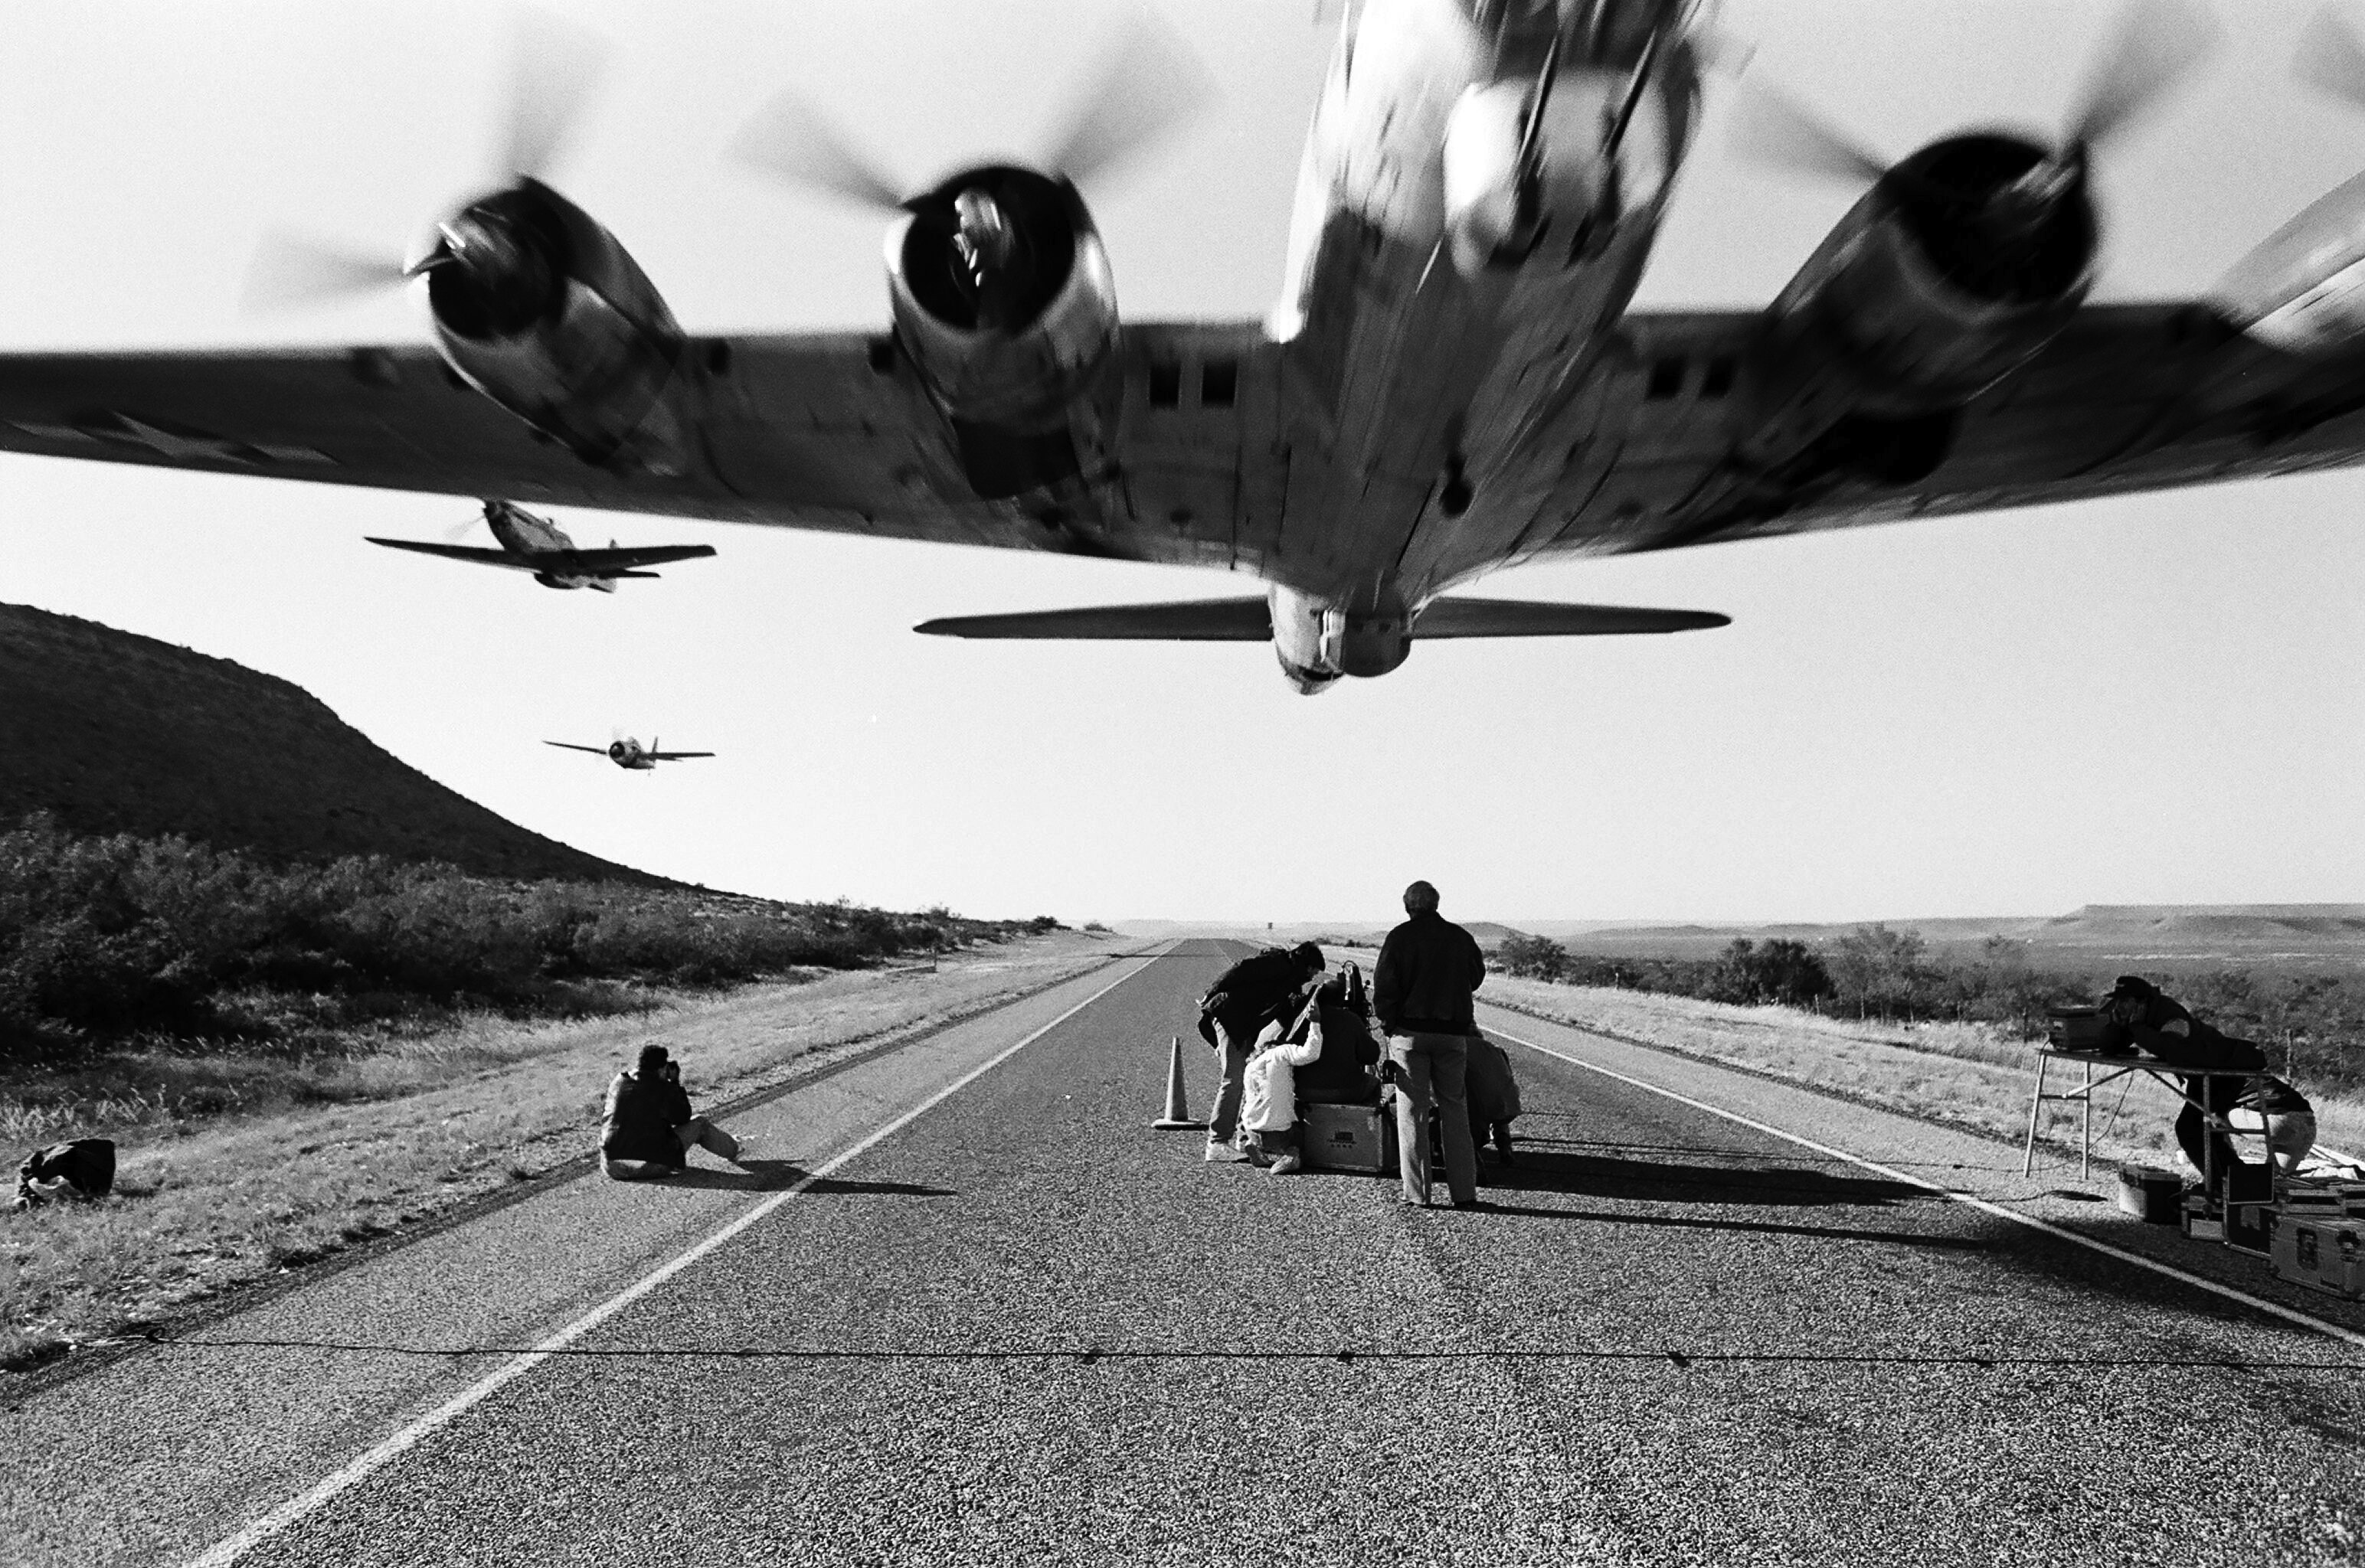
{"x":2127,"y":399}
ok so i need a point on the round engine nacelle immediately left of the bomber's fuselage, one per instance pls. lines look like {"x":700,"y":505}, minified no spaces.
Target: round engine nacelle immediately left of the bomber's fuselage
{"x":1004,"y":299}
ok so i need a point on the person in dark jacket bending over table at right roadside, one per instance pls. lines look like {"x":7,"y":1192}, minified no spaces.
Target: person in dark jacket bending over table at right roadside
{"x":2144,"y":1018}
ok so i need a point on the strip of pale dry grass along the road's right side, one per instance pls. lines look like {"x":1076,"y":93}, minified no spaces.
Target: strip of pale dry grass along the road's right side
{"x":1962,"y":1075}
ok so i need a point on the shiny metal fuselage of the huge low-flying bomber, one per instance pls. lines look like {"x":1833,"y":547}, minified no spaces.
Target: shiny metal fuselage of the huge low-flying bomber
{"x":1460,"y":257}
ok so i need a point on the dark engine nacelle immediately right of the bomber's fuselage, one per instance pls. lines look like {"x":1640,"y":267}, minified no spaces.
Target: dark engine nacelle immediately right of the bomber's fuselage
{"x":1952,"y":273}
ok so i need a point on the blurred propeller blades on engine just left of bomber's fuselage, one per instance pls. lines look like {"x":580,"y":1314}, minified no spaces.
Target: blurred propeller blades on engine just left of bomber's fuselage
{"x":1146,"y":86}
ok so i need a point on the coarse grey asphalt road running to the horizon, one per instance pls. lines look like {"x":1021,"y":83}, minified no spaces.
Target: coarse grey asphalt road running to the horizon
{"x":1025,"y":1328}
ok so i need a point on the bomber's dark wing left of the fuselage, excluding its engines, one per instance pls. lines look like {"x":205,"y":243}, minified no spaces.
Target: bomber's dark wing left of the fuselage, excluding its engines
{"x":824,"y":432}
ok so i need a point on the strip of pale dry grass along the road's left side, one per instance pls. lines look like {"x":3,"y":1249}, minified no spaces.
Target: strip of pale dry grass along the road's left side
{"x":209,"y":1200}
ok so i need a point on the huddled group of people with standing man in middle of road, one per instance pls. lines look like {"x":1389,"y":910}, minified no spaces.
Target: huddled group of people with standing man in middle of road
{"x":1290,"y":1037}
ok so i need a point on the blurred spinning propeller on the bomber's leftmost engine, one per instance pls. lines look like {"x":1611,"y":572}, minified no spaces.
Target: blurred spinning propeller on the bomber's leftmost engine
{"x":557,"y":67}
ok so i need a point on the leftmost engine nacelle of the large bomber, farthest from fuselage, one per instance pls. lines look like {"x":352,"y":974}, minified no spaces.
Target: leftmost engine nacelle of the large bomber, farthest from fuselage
{"x":543,"y":311}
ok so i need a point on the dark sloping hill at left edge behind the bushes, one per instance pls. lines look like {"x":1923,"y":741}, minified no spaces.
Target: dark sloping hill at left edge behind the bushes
{"x":124,"y":734}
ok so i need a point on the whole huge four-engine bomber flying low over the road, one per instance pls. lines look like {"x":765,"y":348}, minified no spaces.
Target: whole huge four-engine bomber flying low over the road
{"x":1451,"y":384}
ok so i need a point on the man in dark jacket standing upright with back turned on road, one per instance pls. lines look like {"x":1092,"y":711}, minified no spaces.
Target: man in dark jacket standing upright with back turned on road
{"x":1423,"y":994}
